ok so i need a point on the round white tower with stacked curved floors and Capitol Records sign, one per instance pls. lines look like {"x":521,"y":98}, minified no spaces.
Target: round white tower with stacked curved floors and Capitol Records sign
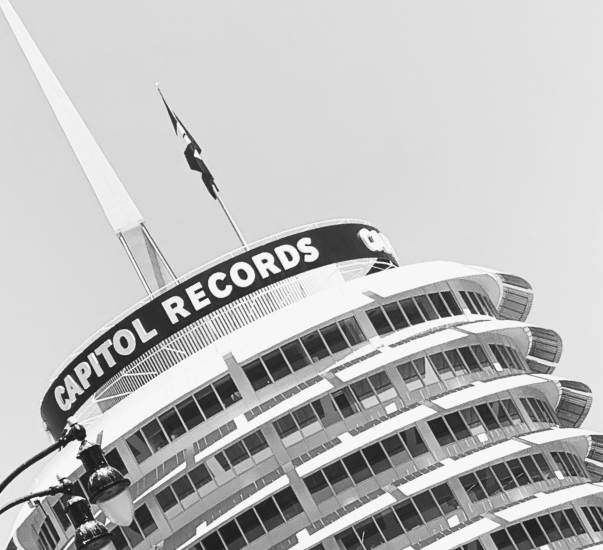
{"x":310,"y":394}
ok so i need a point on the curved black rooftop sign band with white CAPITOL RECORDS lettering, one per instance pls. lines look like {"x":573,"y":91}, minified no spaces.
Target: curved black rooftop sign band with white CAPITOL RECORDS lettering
{"x":198,"y":296}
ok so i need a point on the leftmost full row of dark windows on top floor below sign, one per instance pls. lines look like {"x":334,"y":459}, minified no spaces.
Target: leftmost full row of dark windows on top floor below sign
{"x":187,"y":414}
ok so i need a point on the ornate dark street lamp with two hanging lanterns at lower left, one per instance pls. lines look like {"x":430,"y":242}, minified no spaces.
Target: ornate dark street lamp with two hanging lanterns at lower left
{"x":107,"y":488}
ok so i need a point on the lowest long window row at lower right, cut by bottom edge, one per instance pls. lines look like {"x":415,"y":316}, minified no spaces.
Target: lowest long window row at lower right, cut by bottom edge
{"x":539,"y":531}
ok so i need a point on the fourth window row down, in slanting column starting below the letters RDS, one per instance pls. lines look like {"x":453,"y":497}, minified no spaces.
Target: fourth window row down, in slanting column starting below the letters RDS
{"x":401,"y":518}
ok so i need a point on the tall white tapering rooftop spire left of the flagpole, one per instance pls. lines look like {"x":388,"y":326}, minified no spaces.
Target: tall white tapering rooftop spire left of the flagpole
{"x":123,"y":215}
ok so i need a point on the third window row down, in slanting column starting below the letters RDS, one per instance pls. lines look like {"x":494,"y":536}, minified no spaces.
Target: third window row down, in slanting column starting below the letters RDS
{"x":365,"y":463}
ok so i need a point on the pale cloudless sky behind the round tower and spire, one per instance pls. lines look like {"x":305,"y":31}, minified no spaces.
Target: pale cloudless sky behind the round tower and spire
{"x":467,"y":131}
